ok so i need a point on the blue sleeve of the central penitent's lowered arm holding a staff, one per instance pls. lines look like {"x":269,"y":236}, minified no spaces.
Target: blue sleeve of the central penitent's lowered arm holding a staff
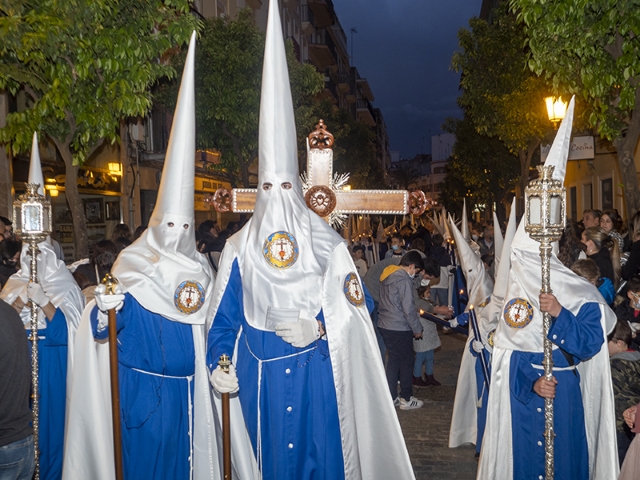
{"x":226,"y":324}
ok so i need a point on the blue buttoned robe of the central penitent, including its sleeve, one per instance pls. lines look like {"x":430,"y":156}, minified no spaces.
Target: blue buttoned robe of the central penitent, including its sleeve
{"x":299,"y":423}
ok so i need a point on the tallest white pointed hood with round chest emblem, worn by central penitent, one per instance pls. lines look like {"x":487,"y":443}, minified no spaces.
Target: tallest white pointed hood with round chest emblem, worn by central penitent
{"x":283,"y":243}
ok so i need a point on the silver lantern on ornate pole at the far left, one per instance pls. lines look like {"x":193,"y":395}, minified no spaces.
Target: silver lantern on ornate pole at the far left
{"x":32,"y":222}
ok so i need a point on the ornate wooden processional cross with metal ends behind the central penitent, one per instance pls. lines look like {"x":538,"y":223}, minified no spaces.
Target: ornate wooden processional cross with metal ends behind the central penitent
{"x":323,"y":192}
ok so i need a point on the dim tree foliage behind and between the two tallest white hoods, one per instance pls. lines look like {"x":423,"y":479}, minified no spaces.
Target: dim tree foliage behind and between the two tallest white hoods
{"x":228,"y":80}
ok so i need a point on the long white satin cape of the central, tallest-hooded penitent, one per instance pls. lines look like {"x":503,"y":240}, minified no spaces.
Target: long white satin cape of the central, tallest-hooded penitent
{"x":372,"y":443}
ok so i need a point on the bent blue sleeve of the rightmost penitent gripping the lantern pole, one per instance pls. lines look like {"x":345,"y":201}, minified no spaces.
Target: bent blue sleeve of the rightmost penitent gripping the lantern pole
{"x":579,"y":335}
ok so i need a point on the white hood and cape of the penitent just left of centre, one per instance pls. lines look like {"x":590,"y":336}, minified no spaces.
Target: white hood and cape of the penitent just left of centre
{"x":165,"y":274}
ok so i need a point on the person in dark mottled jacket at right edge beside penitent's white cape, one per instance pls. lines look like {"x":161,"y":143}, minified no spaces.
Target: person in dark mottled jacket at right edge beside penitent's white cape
{"x":625,"y":378}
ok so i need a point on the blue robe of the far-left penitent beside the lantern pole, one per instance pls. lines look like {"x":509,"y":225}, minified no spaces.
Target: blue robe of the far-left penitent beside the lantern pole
{"x":52,"y":372}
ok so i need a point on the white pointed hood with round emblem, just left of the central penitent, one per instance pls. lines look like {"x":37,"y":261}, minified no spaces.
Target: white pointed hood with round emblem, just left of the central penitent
{"x":162,"y":269}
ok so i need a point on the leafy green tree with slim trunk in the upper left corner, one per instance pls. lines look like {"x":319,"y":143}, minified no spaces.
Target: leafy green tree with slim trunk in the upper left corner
{"x":84,"y":65}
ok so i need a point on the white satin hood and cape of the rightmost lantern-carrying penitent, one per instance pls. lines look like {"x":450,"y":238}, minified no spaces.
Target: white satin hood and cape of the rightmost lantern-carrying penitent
{"x":521,"y":331}
